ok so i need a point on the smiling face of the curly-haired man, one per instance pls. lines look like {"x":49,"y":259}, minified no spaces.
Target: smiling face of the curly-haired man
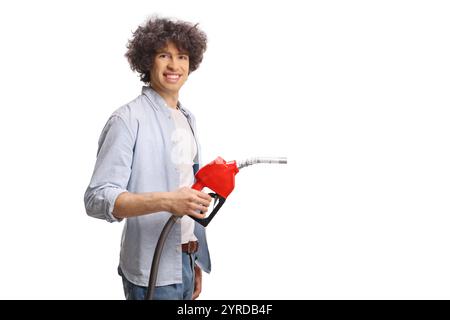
{"x":170,"y":70}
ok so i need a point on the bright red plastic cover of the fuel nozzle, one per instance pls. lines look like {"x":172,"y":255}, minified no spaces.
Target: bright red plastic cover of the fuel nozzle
{"x":217,"y":175}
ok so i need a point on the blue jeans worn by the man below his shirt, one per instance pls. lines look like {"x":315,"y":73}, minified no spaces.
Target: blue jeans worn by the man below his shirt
{"x":176,"y":291}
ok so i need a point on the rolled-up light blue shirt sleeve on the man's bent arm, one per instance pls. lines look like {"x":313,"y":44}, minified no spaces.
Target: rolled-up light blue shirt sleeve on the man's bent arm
{"x":112,"y":169}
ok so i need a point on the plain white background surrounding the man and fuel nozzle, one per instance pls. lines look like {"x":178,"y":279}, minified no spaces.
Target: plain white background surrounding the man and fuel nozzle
{"x":354,"y":93}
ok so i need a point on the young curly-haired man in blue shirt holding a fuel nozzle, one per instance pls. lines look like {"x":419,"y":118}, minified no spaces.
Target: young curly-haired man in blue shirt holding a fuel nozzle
{"x":147,"y":157}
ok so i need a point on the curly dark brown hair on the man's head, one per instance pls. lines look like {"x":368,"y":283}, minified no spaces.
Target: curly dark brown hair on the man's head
{"x":154,"y":35}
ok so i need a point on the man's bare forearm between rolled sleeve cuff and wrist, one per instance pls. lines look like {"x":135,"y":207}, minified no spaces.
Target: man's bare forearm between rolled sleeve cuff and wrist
{"x":130,"y":204}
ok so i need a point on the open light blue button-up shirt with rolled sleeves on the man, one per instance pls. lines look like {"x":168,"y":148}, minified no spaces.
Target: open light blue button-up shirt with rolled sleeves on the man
{"x":134,"y":154}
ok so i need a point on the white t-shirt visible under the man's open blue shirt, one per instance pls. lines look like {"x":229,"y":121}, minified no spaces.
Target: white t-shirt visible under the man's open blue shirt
{"x":184,"y":150}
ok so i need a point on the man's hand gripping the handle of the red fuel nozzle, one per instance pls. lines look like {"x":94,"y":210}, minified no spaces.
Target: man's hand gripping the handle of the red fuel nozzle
{"x":187,"y":201}
